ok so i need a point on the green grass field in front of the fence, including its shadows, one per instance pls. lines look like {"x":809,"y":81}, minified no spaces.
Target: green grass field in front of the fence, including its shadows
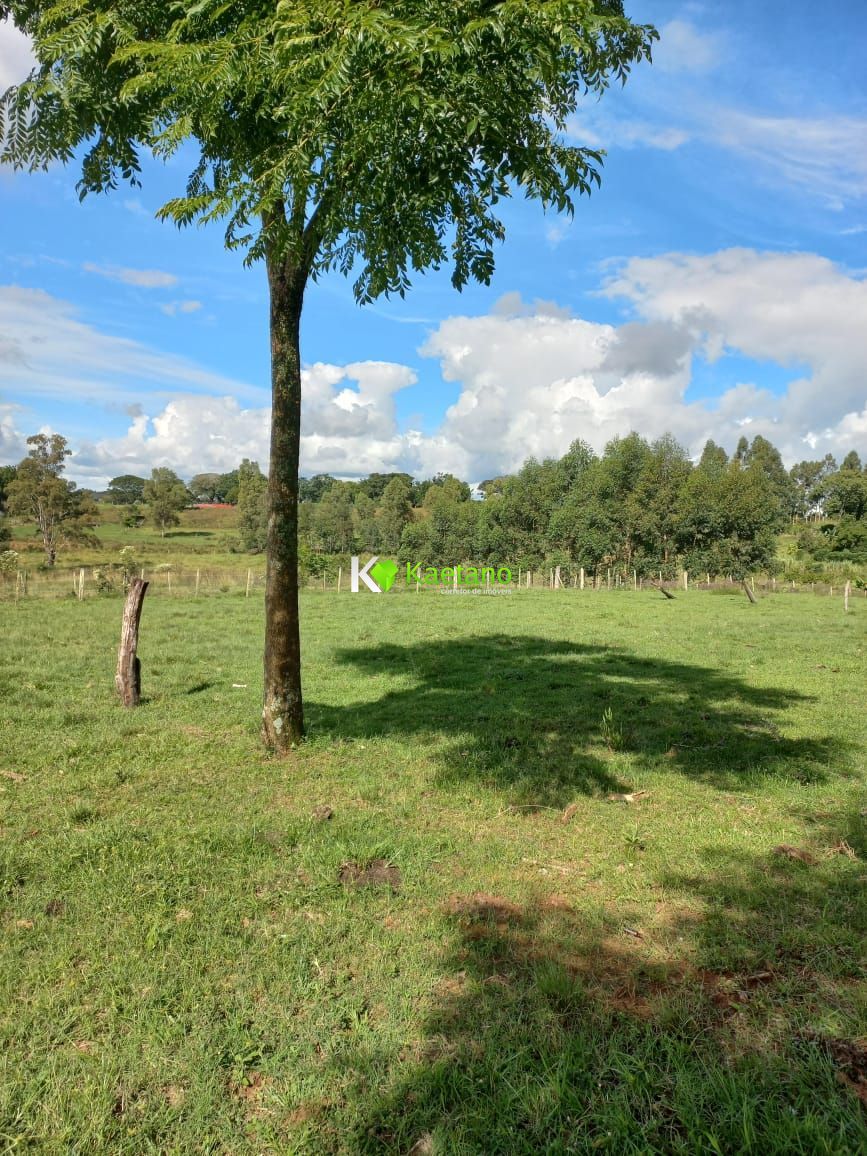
{"x":478,"y":952}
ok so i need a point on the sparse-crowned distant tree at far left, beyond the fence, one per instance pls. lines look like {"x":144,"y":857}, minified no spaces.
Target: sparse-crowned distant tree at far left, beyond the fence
{"x":62,"y":513}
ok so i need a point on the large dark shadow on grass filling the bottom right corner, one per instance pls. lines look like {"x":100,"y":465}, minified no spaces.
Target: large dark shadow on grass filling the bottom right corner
{"x":729,"y":1027}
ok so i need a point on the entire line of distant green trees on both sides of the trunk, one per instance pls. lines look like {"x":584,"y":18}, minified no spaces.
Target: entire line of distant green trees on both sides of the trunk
{"x":640,"y":507}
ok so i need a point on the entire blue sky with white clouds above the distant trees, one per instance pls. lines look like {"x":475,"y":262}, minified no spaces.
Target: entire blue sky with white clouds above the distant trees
{"x":715,"y":286}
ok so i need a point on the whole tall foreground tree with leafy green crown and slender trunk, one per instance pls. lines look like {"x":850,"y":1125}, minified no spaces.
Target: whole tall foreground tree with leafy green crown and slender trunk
{"x":340,"y":136}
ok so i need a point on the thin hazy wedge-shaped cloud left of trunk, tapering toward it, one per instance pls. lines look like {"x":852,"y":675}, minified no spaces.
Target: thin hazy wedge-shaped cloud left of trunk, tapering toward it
{"x":47,"y":351}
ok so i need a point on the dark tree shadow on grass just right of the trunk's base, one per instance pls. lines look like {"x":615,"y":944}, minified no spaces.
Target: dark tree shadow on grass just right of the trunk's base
{"x":547,"y":720}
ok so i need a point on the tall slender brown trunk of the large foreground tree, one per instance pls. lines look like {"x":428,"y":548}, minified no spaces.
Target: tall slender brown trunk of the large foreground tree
{"x":283,"y":710}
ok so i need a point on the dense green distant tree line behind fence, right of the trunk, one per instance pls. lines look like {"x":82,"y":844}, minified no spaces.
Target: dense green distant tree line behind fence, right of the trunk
{"x":639,"y":507}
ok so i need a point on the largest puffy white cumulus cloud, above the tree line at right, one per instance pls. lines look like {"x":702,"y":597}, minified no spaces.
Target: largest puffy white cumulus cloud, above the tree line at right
{"x":532,"y":381}
